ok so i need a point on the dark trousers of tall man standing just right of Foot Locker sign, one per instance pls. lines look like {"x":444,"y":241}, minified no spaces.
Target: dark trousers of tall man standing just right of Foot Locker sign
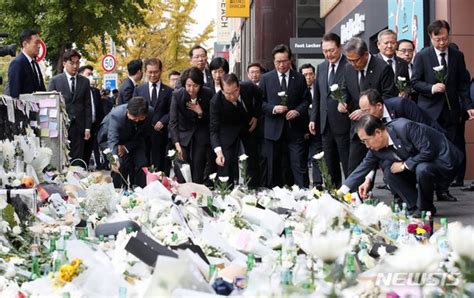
{"x":336,"y":153}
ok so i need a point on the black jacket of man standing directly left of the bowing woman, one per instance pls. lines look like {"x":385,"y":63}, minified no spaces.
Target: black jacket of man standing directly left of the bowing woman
{"x":161,"y":107}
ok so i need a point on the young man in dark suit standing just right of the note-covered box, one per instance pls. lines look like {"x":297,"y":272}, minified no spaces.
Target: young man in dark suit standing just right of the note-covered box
{"x":76,"y":92}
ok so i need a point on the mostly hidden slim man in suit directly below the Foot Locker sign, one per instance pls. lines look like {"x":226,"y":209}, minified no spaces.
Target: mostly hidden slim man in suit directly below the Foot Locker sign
{"x":314,"y":141}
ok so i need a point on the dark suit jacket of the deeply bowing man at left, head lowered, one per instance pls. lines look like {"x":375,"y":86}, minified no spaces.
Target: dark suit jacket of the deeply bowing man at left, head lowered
{"x":116,"y":129}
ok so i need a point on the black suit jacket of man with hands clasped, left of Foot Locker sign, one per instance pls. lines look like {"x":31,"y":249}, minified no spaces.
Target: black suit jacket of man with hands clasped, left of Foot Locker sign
{"x":299,"y":99}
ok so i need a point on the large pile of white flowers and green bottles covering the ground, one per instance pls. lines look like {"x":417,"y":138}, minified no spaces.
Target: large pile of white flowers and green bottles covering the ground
{"x":81,"y":240}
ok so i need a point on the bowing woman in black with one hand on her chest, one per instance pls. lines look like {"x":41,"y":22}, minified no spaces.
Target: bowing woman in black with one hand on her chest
{"x":189,"y":122}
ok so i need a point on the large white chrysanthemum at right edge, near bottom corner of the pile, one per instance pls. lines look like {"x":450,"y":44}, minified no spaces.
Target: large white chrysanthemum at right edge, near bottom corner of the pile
{"x":461,"y":240}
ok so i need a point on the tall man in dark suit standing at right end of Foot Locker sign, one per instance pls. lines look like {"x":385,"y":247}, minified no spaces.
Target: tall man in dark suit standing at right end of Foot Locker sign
{"x":325,"y":118}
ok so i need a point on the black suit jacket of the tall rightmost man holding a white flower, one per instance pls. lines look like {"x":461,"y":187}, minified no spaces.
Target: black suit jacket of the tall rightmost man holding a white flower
{"x":457,"y":82}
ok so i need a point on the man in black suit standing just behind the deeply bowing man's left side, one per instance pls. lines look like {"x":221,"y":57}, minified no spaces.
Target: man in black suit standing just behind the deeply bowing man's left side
{"x":97,"y":114}
